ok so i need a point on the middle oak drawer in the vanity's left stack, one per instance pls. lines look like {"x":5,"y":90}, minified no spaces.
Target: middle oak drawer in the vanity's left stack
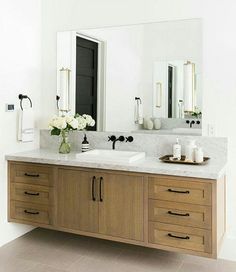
{"x":31,"y":193}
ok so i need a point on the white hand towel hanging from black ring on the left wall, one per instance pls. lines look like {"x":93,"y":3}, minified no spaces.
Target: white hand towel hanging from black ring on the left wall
{"x":26,"y":125}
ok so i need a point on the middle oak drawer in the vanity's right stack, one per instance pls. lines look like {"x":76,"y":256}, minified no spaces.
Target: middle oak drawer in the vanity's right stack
{"x":180,"y":214}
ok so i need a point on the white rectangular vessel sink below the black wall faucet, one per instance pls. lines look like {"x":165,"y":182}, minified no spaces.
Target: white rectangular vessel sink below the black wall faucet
{"x":100,"y":155}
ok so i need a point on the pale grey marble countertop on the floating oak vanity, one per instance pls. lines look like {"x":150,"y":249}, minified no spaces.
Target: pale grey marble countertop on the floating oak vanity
{"x":151,"y":165}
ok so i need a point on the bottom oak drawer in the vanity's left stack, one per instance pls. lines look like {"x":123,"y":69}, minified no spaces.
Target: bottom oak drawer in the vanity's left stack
{"x":29,"y":212}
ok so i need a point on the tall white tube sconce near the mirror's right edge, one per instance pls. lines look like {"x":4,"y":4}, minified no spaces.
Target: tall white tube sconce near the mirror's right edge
{"x":189,"y":86}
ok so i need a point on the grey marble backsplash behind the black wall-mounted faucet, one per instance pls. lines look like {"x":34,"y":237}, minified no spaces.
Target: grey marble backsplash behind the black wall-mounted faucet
{"x":152,"y":144}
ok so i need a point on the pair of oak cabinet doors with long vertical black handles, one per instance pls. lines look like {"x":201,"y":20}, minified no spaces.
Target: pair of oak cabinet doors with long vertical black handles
{"x":110,"y":204}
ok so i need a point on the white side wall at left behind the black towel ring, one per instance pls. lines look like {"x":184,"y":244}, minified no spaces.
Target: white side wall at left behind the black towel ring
{"x":20,"y":72}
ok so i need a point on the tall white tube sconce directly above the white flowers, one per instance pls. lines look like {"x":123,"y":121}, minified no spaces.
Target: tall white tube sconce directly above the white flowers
{"x":63,"y":99}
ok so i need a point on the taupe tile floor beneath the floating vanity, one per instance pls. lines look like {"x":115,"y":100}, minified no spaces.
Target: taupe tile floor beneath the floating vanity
{"x":52,"y":251}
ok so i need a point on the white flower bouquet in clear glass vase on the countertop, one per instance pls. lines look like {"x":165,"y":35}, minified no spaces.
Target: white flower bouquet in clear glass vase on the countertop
{"x":61,"y":125}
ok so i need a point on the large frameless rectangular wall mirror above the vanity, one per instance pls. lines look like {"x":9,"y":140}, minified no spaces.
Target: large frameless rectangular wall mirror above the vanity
{"x":158,"y":63}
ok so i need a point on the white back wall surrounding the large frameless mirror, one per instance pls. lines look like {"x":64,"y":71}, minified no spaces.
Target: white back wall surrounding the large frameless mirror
{"x":219,"y":55}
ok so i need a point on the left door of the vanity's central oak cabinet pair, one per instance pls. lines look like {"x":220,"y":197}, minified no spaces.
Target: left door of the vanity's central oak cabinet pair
{"x":76,"y":208}
